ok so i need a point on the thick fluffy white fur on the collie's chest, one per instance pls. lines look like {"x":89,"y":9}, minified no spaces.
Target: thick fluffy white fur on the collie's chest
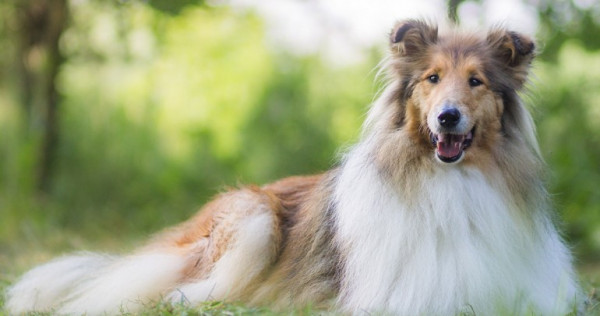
{"x":461,"y":246}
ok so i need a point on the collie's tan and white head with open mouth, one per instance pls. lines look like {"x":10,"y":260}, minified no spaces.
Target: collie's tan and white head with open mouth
{"x":457,"y":92}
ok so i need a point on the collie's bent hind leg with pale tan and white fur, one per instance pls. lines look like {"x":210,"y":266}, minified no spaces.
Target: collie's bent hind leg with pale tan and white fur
{"x":243,"y":241}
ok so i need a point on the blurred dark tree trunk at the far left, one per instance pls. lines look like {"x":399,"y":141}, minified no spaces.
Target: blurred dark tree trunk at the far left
{"x":42,"y":22}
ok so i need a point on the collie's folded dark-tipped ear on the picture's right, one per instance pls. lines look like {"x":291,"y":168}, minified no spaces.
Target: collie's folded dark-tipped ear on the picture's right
{"x":512,"y":48}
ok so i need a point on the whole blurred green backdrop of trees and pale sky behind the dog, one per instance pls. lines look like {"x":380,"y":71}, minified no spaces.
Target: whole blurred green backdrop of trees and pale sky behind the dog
{"x":118,"y":118}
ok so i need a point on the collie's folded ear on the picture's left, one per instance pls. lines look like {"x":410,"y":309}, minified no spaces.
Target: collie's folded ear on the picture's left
{"x":412,"y":37}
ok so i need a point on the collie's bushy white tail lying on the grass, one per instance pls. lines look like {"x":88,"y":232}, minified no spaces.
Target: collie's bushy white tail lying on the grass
{"x":95,"y":284}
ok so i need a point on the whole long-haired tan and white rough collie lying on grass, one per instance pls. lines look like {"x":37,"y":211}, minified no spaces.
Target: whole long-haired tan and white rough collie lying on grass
{"x":439,"y":209}
